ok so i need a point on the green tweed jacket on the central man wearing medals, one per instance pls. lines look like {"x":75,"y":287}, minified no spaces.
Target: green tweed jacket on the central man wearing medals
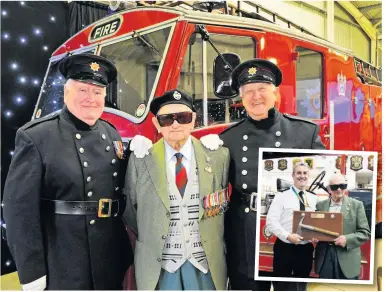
{"x":148,"y":211}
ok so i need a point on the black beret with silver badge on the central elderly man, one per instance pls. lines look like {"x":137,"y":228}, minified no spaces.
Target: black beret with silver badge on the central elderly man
{"x":171,"y":97}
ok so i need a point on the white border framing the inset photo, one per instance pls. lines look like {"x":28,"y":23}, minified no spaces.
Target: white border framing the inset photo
{"x":373,"y":218}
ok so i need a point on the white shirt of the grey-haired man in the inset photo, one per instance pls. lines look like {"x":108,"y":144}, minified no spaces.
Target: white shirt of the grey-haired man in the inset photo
{"x":280,"y":213}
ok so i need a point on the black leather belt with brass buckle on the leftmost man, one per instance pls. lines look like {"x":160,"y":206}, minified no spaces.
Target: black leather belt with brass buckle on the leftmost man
{"x":103,"y":208}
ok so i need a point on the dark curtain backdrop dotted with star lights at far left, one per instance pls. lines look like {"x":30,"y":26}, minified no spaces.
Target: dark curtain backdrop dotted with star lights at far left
{"x":30,"y":32}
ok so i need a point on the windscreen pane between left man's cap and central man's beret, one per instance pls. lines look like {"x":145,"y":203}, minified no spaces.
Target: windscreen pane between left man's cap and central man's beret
{"x":138,"y":62}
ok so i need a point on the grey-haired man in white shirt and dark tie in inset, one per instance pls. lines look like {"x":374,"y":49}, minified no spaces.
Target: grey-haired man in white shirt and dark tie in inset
{"x":292,"y":255}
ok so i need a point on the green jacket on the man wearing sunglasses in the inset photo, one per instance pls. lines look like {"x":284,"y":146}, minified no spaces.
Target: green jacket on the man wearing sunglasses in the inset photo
{"x":357,"y":231}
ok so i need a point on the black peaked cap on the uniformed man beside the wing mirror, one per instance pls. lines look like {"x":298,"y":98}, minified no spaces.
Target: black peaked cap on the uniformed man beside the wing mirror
{"x":256,"y":71}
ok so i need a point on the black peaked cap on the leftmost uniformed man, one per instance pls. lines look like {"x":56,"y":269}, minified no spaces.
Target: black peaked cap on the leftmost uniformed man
{"x":88,"y":68}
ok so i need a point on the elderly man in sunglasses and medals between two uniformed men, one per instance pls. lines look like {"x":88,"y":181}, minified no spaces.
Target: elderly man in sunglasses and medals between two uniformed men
{"x":177,"y":196}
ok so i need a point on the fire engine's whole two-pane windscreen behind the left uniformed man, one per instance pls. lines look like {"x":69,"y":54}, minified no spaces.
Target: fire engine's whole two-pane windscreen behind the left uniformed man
{"x":138,"y":62}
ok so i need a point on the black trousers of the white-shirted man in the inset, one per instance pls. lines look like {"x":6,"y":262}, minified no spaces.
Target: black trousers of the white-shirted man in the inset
{"x":289,"y":261}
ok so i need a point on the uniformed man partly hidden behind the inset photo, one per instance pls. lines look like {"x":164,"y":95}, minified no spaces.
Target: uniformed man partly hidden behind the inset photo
{"x":265,"y":126}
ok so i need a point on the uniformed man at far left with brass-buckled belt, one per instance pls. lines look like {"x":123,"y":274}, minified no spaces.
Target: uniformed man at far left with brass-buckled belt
{"x":63,"y":199}
